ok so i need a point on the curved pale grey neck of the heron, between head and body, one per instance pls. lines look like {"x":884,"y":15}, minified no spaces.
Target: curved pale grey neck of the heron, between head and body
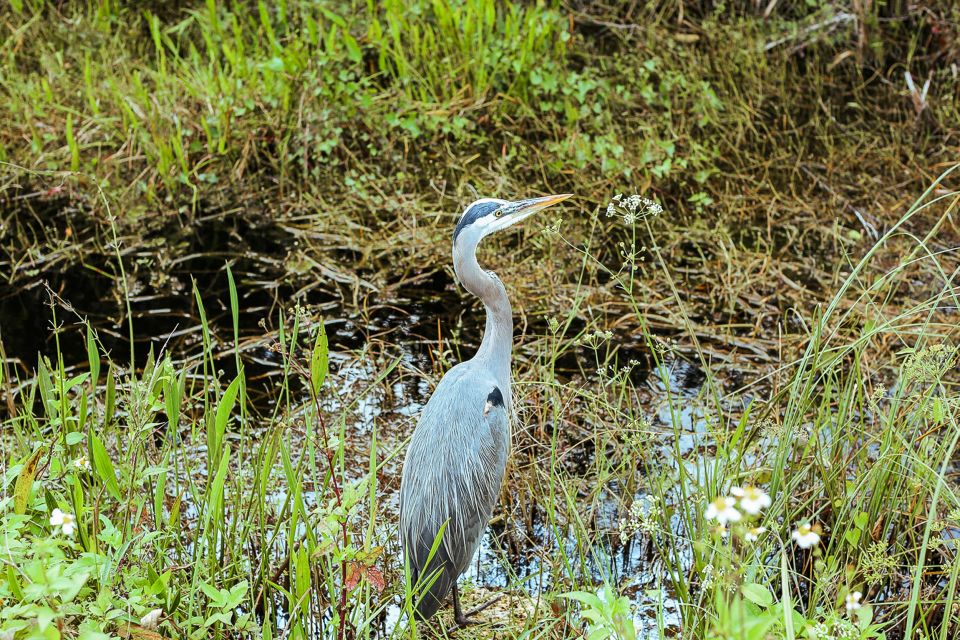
{"x":497,"y":345}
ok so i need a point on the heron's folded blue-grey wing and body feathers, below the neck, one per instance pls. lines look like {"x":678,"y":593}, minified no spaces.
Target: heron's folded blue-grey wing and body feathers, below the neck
{"x":451,"y":481}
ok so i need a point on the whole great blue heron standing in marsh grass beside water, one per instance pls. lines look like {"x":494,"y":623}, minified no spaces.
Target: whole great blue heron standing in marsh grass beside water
{"x":458,"y":453}
